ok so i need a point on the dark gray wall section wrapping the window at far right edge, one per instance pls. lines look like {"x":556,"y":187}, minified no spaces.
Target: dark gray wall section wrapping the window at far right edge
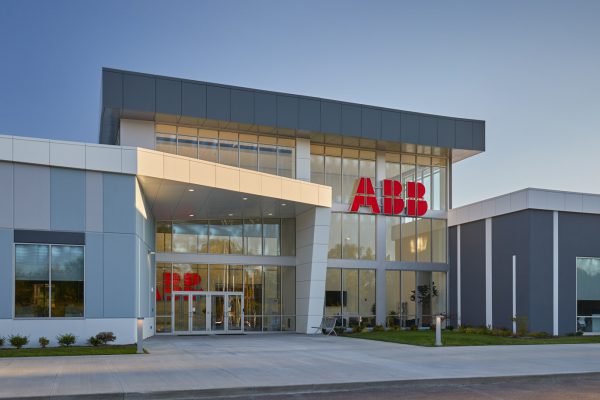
{"x":577,"y":237}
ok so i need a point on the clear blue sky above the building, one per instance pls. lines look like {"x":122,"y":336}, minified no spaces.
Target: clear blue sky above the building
{"x":530,"y":69}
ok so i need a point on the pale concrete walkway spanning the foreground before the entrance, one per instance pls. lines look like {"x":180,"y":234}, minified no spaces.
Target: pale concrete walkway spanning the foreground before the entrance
{"x":219,"y":362}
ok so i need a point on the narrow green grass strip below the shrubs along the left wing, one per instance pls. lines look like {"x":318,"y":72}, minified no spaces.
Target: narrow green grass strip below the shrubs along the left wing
{"x":70,"y":351}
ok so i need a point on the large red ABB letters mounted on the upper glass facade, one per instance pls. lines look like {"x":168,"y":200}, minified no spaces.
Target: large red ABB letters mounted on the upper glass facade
{"x":393,"y":203}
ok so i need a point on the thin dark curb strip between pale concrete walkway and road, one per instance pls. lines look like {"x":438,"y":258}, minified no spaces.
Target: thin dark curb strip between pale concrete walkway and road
{"x":265,"y":391}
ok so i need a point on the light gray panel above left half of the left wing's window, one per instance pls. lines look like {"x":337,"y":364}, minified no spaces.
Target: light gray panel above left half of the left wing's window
{"x":32,"y":196}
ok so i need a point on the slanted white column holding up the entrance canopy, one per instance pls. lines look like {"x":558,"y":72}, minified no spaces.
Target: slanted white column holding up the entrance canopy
{"x":312,"y":243}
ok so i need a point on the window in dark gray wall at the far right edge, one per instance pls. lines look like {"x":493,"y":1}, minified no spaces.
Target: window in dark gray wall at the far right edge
{"x":588,"y":294}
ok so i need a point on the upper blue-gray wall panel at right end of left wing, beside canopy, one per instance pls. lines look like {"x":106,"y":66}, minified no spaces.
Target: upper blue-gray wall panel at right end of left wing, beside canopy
{"x":118,"y":203}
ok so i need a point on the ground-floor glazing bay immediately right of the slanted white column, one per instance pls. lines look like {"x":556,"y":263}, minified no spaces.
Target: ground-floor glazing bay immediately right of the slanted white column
{"x":350,"y":294}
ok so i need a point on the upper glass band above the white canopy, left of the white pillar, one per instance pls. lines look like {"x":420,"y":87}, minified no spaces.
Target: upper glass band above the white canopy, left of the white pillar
{"x":267,"y":154}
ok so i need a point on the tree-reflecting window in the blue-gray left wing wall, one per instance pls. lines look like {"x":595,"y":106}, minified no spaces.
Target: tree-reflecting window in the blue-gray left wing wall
{"x":49,"y":281}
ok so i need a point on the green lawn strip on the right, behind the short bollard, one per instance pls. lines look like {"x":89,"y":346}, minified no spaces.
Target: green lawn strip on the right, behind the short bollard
{"x":454,"y":338}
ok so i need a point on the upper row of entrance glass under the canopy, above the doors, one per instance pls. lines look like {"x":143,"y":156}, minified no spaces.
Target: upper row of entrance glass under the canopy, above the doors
{"x":256,"y":236}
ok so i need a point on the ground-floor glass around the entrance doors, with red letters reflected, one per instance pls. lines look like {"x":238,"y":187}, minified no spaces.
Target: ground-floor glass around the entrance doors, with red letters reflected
{"x":269,"y":292}
